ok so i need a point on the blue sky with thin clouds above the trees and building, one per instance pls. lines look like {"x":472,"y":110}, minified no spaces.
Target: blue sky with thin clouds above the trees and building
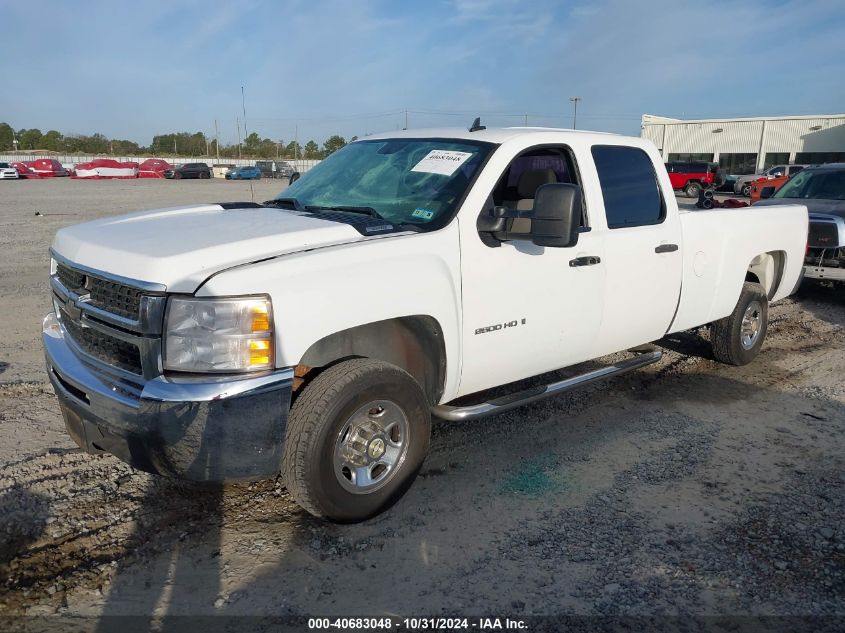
{"x":133,"y":69}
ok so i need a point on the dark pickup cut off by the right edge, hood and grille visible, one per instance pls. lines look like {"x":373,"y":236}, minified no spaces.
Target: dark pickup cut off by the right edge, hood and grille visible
{"x":822,"y":190}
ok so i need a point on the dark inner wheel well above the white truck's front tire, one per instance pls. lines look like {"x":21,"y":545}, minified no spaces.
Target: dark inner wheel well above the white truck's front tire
{"x":414,"y":343}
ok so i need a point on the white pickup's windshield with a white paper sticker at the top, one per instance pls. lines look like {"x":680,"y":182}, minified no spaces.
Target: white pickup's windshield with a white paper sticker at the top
{"x":405,"y":181}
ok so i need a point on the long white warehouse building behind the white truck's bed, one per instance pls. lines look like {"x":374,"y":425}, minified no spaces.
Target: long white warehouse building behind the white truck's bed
{"x":748,"y":145}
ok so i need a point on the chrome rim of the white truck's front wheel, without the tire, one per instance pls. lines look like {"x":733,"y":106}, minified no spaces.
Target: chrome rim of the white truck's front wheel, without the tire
{"x":371,"y":446}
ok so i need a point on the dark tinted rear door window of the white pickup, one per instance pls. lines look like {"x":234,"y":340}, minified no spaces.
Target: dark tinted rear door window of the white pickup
{"x":629,"y":186}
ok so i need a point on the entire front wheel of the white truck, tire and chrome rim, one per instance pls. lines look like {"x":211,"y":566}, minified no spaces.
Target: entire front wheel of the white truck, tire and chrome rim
{"x":356,"y":439}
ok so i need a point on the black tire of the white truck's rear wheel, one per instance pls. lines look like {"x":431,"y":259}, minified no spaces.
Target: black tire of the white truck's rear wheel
{"x":727,"y":335}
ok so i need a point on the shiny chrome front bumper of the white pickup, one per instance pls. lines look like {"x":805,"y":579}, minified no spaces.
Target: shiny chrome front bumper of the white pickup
{"x":199,"y":429}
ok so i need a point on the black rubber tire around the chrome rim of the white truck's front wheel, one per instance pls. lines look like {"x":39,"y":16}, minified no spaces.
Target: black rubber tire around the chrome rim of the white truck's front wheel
{"x":323,"y":411}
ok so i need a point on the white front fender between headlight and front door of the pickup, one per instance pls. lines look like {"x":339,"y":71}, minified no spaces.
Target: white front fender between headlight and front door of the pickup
{"x":327,"y":290}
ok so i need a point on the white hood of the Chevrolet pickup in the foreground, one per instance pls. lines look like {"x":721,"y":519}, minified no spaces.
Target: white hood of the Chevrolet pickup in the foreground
{"x":181,"y":247}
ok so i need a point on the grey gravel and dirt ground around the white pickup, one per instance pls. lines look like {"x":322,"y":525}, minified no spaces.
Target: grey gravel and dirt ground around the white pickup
{"x":689,"y":487}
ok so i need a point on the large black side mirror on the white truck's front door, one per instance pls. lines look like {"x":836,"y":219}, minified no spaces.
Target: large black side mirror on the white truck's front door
{"x":557,"y":215}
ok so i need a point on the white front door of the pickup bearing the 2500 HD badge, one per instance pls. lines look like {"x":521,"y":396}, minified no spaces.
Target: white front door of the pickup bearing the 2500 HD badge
{"x":527,"y":309}
